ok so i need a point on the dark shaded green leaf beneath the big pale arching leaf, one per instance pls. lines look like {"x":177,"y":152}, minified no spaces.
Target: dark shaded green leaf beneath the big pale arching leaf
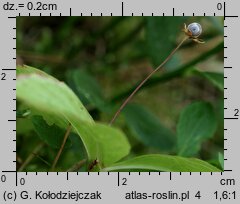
{"x":51,"y":135}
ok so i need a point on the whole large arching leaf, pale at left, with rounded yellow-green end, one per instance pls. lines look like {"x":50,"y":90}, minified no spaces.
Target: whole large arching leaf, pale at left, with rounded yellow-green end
{"x":54,"y":100}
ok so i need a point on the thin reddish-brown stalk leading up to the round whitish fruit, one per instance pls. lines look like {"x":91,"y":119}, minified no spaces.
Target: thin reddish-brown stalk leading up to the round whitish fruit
{"x":143,"y":82}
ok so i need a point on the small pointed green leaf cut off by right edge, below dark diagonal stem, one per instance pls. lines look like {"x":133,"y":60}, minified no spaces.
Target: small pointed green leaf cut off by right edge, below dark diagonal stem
{"x":217,"y":79}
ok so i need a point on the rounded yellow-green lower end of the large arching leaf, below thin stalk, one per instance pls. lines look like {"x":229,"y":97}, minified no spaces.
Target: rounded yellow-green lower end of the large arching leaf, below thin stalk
{"x":105,"y":143}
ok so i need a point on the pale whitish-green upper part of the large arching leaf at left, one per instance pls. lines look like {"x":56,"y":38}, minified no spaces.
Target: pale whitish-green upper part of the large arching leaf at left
{"x":51,"y":96}
